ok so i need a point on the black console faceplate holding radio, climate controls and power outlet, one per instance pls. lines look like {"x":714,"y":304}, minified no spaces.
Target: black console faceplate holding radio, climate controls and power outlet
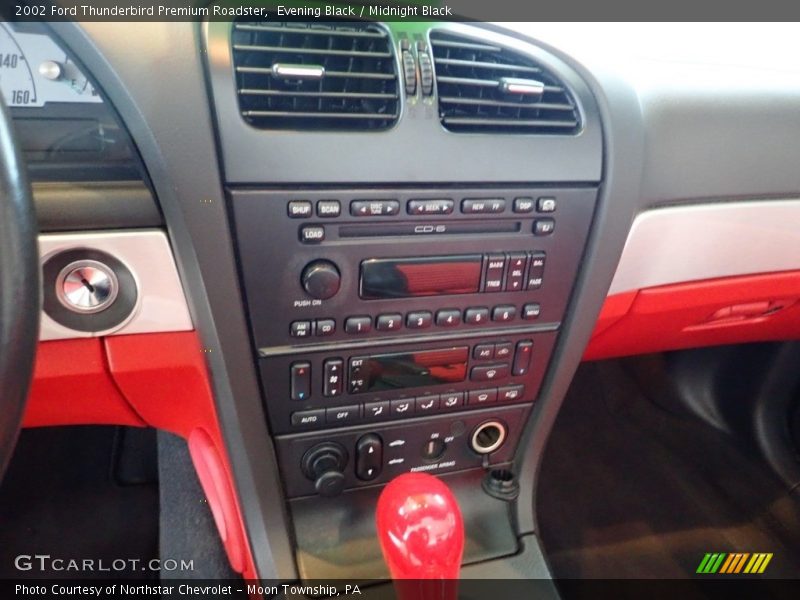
{"x":404,"y":329}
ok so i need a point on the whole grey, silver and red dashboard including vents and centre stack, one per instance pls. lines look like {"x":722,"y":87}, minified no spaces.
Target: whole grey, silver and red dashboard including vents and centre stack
{"x":389,"y":246}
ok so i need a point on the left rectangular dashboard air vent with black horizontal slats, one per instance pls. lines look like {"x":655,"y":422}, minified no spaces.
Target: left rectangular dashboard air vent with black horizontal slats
{"x":320,"y":76}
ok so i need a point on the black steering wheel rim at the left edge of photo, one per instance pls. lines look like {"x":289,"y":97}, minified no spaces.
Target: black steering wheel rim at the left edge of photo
{"x":20,"y":288}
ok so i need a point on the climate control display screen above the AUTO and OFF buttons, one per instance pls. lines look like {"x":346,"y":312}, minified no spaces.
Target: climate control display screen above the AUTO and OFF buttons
{"x":385,"y":372}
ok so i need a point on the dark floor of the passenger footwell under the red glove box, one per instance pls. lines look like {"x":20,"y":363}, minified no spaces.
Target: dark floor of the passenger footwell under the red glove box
{"x":630,"y":490}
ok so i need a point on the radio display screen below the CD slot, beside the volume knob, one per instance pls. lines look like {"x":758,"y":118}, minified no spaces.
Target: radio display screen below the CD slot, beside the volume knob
{"x":420,"y":276}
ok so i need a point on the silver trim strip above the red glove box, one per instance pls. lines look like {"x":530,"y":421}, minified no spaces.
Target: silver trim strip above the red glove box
{"x":705,"y":241}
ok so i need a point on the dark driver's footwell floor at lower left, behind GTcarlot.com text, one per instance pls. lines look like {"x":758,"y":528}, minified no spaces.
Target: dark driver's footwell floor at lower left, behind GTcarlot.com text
{"x":83,"y":493}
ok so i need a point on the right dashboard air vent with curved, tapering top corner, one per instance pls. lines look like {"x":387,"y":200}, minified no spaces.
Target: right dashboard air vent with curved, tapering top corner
{"x":485,"y":88}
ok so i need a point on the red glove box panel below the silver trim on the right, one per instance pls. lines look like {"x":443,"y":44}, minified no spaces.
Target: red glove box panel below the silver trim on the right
{"x":705,"y":313}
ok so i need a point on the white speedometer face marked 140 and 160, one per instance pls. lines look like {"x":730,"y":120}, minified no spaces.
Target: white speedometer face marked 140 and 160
{"x":35,"y":71}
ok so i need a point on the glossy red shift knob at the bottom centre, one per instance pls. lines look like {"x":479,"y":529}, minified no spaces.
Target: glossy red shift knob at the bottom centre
{"x":421,"y":533}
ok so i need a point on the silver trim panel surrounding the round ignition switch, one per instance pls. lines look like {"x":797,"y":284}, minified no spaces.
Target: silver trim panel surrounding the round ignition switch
{"x":161,"y":304}
